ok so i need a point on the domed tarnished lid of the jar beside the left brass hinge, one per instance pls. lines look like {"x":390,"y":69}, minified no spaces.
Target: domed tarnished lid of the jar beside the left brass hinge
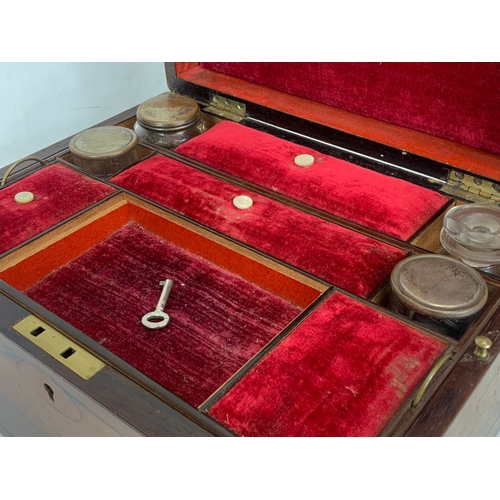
{"x":168,"y":112}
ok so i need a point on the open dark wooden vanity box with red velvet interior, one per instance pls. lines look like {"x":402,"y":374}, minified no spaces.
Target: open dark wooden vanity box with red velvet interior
{"x":280,"y":221}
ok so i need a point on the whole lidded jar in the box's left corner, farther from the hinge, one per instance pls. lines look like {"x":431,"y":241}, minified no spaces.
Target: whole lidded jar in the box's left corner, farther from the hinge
{"x":104,"y":151}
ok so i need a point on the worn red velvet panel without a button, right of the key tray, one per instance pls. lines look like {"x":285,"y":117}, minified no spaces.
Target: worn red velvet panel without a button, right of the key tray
{"x":344,"y":371}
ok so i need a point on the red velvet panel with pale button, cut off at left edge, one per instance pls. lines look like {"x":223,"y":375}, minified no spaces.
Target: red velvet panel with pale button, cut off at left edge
{"x":59,"y":193}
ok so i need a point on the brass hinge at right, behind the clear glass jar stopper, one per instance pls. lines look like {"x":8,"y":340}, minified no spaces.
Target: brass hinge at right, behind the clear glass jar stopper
{"x":472,"y":188}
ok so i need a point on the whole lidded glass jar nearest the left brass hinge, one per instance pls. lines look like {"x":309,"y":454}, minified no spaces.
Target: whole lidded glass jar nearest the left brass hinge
{"x":169,"y":120}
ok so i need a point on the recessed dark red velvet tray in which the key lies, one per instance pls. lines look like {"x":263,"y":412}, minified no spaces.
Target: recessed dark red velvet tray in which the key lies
{"x":101,"y":274}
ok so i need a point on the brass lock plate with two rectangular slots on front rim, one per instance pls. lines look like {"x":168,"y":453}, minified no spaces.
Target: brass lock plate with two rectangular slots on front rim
{"x":59,"y":347}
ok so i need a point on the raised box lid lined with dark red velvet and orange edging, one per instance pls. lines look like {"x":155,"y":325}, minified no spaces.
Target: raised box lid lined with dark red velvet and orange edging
{"x":446,"y":112}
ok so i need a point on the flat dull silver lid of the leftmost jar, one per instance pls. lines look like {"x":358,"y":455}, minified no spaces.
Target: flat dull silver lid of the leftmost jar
{"x":103,"y":142}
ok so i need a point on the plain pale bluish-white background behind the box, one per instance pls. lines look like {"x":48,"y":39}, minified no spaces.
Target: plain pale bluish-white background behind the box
{"x":42,"y":103}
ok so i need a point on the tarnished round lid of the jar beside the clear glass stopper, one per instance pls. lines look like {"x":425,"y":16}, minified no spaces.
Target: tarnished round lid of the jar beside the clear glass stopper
{"x":439,"y":286}
